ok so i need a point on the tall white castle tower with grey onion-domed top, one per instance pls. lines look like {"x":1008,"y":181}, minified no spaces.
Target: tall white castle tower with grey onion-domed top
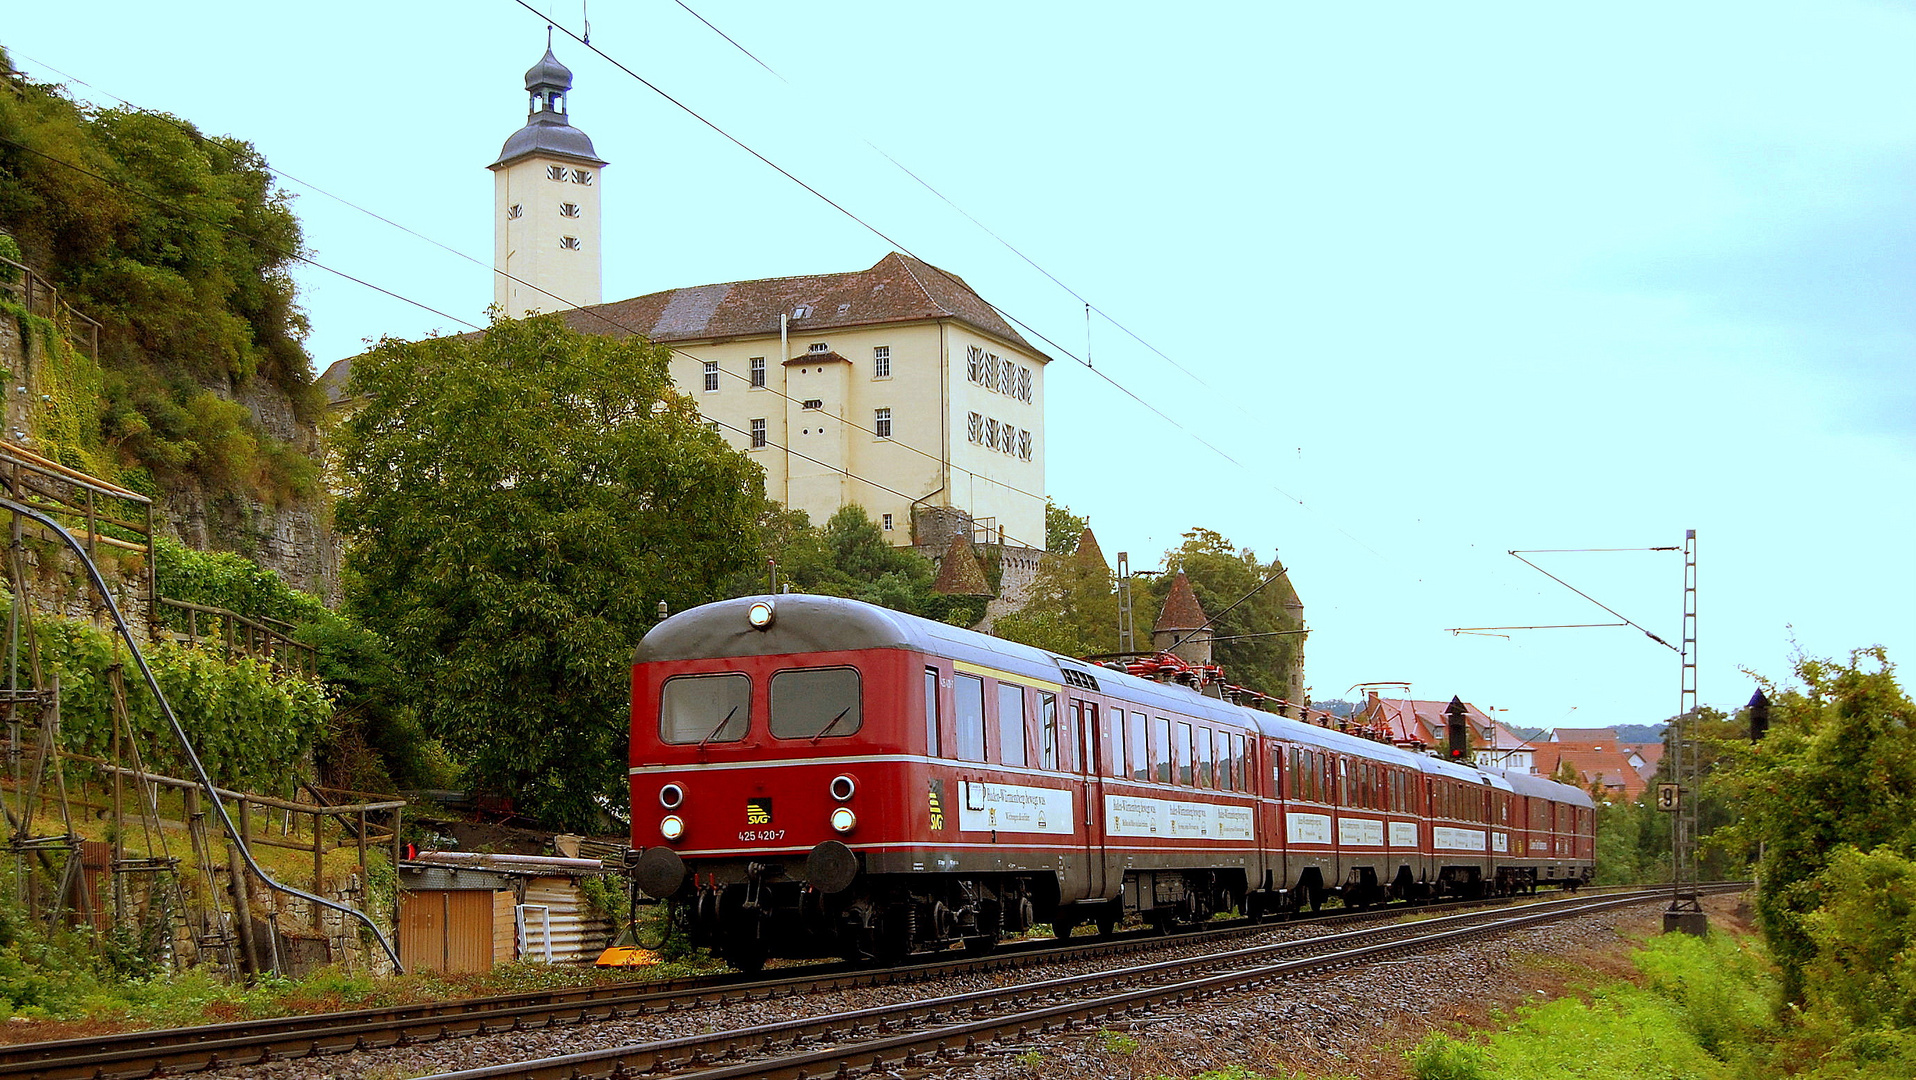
{"x":547,"y":204}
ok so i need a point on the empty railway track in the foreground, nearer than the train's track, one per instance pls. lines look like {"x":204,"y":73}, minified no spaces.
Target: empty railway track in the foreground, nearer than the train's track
{"x":934,"y":1025}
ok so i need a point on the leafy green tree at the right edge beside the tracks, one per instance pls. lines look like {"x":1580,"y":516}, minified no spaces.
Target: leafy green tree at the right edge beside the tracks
{"x":1836,"y":769}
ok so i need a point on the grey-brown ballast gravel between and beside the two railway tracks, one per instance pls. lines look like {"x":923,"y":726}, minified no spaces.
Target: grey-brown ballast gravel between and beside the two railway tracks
{"x":1329,"y":1024}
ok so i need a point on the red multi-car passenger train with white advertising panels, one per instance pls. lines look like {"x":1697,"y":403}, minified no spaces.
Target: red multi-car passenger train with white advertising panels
{"x":817,"y":776}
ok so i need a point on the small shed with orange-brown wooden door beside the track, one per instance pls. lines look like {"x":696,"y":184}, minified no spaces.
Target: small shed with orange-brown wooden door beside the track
{"x":470,"y":911}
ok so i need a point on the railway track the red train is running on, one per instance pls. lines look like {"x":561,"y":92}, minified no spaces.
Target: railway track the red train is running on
{"x":313,"y":1037}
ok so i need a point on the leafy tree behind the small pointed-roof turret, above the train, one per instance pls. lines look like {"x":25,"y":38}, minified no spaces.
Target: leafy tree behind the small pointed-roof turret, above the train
{"x":1221,"y":575}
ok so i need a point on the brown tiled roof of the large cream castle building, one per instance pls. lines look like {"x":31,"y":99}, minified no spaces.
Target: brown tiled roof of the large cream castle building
{"x":898,"y":288}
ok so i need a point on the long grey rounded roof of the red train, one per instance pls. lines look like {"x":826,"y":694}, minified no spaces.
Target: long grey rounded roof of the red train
{"x":806,"y":623}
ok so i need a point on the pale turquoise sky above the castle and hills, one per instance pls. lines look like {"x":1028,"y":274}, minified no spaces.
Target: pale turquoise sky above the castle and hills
{"x":1407,"y":286}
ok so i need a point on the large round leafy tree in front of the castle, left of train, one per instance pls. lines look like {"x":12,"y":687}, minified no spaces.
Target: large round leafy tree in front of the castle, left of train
{"x":518,"y":503}
